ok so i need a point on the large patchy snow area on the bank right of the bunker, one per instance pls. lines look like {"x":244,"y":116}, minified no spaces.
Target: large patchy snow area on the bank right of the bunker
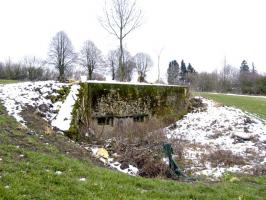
{"x":221,"y":128}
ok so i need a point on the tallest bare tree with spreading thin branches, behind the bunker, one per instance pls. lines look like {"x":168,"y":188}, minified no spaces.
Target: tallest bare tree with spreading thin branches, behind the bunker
{"x":120,"y":19}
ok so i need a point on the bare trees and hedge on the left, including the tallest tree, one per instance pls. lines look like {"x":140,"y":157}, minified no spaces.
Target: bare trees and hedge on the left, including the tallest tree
{"x":120,"y":18}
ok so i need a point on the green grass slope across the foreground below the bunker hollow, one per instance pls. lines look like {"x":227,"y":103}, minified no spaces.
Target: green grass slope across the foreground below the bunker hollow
{"x":33,"y":175}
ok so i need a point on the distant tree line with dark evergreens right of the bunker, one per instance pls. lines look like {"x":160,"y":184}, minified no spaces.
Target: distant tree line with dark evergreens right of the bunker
{"x":242,"y":80}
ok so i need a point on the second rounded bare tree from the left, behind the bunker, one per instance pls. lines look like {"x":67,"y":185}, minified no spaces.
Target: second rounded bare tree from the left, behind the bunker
{"x":90,"y":57}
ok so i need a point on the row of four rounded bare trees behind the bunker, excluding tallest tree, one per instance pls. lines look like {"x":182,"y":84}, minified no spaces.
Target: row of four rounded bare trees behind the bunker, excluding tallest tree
{"x":64,"y":58}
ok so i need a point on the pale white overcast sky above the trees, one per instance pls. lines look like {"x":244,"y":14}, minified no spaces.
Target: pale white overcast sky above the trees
{"x":201,"y":32}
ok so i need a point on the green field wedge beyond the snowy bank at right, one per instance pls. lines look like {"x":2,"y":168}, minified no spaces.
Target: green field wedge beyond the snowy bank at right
{"x":255,"y":105}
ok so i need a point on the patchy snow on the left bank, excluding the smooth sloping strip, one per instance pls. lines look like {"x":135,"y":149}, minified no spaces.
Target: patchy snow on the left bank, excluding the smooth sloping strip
{"x":17,"y":96}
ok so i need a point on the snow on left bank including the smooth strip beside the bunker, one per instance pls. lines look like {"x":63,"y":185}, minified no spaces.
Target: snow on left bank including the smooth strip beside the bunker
{"x":18,"y":96}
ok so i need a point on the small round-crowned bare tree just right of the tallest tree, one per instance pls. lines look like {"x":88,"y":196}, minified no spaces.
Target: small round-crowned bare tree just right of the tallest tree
{"x":143,"y":62}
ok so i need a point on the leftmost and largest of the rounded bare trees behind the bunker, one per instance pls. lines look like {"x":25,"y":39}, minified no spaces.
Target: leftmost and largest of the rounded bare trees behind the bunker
{"x":61,"y":54}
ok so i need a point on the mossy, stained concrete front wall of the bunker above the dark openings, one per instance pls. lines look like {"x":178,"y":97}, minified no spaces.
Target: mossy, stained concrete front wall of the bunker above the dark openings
{"x":167,"y":103}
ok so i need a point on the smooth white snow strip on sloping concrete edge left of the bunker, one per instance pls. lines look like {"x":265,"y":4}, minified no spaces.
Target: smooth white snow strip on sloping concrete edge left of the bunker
{"x":63,"y":119}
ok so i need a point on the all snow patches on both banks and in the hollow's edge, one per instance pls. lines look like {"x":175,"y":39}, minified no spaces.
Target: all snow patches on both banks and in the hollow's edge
{"x":203,"y":133}
